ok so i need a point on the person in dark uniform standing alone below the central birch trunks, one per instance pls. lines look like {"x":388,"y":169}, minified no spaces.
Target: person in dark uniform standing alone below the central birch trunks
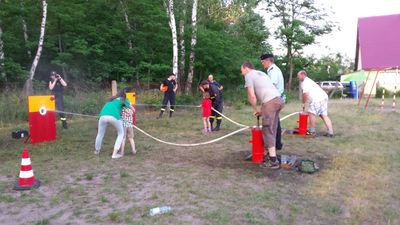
{"x":169,"y":88}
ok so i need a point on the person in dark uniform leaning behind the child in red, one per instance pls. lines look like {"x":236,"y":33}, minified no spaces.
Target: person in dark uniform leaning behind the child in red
{"x":217,"y":102}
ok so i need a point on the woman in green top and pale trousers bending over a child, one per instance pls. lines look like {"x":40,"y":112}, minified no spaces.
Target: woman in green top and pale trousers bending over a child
{"x":111,"y":113}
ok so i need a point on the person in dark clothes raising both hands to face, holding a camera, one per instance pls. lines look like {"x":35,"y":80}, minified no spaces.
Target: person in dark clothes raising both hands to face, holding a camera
{"x":56,"y":86}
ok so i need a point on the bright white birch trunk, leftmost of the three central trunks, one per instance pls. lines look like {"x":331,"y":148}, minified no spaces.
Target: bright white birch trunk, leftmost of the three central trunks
{"x":172,"y":25}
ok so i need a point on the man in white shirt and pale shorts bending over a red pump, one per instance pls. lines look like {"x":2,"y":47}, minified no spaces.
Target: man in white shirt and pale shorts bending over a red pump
{"x":317,"y":101}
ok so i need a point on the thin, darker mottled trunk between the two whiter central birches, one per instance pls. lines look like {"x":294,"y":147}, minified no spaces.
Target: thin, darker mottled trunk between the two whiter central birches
{"x":182,"y":46}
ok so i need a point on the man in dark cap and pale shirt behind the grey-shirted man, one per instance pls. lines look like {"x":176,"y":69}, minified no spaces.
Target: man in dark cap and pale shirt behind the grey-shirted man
{"x":267,"y":60}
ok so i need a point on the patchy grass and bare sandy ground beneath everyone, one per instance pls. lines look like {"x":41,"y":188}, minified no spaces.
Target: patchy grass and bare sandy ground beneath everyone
{"x":212,"y":184}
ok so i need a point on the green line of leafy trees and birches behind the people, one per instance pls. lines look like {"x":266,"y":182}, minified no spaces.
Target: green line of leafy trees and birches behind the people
{"x":140,"y":41}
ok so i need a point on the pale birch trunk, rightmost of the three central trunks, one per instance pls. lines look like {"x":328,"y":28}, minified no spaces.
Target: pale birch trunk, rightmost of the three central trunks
{"x":192,"y":47}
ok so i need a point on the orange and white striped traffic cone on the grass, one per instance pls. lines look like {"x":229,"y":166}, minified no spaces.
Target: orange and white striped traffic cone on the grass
{"x":26,"y":179}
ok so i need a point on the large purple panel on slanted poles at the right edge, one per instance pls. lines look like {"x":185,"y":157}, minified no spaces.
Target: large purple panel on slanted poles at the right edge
{"x":378,"y":47}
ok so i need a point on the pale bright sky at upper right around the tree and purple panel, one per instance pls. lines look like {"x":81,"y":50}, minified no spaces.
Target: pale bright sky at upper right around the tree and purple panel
{"x":345,"y":14}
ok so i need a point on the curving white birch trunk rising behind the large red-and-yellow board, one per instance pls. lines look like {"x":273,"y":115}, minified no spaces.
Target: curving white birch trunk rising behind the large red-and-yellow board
{"x":28,"y":83}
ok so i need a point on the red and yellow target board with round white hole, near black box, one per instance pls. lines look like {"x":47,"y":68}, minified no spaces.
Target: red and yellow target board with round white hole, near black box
{"x":42,"y":118}
